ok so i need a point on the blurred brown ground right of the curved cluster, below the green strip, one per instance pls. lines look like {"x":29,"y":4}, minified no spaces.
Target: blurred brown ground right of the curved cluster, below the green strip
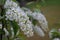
{"x":52,"y":14}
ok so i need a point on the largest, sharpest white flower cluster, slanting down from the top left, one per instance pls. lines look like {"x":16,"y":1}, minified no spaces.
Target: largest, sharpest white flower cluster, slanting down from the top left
{"x":14,"y":12}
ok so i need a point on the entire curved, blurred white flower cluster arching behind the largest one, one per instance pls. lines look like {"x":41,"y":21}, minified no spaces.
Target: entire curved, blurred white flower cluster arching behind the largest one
{"x":39,"y":17}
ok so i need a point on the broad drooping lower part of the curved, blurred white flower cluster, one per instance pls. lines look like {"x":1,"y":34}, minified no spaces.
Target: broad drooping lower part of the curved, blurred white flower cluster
{"x":41,"y":19}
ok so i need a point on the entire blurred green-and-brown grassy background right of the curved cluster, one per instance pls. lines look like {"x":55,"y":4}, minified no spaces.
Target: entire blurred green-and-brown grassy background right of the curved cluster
{"x":51,"y":10}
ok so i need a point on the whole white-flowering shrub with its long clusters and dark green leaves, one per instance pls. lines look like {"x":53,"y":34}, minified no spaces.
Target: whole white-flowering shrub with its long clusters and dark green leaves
{"x":16,"y":21}
